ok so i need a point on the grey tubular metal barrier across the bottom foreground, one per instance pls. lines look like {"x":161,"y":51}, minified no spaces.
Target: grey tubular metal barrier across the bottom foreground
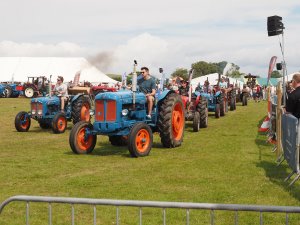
{"x":152,"y":204}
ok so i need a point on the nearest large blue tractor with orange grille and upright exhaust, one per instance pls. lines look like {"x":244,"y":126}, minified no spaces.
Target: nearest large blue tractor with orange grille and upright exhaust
{"x":122,"y":116}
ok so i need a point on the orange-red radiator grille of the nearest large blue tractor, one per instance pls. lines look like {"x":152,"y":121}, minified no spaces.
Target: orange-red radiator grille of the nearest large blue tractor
{"x":106,"y":110}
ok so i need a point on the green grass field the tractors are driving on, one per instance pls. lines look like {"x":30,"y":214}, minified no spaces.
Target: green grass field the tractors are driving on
{"x":228,"y":162}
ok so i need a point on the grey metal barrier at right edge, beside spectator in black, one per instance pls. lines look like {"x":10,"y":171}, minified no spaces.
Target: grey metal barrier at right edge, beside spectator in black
{"x":290,"y":144}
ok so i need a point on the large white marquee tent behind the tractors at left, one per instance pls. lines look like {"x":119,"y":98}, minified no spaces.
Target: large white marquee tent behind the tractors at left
{"x":19,"y":68}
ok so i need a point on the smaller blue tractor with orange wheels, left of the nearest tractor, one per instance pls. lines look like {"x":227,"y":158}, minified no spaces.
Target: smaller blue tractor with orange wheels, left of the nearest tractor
{"x":46,"y":110}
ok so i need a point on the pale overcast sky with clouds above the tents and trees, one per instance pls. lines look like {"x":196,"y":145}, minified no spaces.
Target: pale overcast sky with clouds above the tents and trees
{"x":167,"y":33}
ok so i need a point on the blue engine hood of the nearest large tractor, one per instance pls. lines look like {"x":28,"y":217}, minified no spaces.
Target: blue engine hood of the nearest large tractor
{"x":125,"y":97}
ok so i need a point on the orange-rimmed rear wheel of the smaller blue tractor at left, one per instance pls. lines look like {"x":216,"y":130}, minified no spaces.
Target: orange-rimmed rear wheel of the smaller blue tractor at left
{"x":81,"y":110}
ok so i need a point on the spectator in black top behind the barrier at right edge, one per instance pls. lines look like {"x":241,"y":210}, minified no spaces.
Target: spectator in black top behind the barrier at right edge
{"x":293,"y":98}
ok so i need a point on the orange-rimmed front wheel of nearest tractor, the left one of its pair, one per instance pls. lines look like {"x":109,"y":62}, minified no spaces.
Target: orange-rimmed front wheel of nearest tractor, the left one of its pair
{"x":81,"y":140}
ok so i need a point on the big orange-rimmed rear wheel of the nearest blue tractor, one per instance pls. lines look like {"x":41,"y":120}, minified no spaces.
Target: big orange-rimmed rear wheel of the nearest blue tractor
{"x":171,"y":121}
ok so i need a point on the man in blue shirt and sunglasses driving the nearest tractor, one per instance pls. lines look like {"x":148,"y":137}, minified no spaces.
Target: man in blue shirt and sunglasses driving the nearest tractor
{"x":147,"y":86}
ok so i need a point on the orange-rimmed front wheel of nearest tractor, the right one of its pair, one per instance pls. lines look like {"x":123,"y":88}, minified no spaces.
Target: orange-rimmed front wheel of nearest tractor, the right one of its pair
{"x":140,"y":140}
